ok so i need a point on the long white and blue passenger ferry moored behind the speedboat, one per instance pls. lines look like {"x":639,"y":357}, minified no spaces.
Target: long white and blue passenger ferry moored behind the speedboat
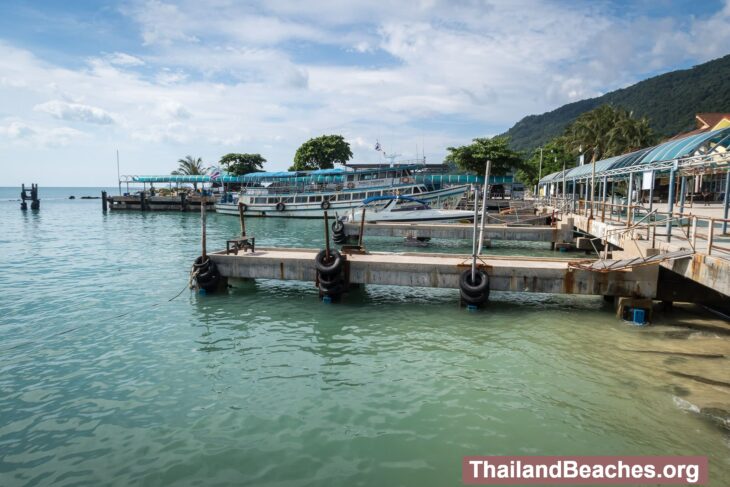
{"x":307,"y":194}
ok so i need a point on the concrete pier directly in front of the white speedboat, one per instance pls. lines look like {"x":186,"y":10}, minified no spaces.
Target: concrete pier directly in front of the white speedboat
{"x":558,"y":234}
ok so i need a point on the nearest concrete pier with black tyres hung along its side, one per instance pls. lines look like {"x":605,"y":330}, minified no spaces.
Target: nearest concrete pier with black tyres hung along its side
{"x":516,"y":274}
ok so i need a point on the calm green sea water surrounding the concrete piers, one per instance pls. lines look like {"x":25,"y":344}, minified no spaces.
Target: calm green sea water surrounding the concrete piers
{"x":266,"y":385}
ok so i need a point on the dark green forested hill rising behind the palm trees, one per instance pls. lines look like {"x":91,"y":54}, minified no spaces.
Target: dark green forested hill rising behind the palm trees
{"x":670,"y":101}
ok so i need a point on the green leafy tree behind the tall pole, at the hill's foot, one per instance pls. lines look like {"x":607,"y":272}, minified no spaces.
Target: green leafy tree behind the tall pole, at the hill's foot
{"x":473,"y":157}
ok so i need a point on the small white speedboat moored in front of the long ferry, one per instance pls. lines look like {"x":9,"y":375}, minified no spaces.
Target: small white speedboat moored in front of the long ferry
{"x":397,"y":209}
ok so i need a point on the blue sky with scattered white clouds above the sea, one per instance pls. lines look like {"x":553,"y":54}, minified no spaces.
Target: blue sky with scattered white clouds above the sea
{"x":160,"y":80}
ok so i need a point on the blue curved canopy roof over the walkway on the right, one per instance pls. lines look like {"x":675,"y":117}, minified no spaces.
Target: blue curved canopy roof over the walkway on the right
{"x":716,"y":141}
